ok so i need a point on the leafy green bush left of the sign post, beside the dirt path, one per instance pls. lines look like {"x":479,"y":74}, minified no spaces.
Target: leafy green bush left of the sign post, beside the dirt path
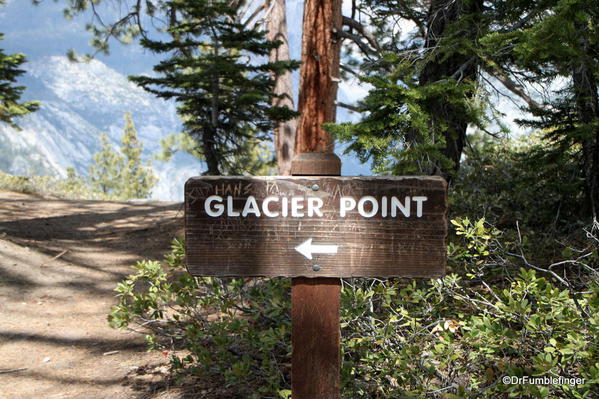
{"x":236,"y":331}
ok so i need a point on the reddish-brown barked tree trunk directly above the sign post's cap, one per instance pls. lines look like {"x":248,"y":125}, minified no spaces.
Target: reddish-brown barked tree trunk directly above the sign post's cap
{"x":319,"y":75}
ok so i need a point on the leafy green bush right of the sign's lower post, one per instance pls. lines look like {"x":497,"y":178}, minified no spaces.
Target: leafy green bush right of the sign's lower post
{"x":459,"y":336}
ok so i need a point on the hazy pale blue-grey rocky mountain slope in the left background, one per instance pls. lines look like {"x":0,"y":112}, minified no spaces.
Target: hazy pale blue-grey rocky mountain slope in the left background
{"x":79,"y":102}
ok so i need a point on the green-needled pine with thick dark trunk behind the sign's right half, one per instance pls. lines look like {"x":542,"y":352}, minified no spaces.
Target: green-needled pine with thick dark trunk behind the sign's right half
{"x":423,"y":95}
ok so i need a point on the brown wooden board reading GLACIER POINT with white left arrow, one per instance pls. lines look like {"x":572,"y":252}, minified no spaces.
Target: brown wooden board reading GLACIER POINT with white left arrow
{"x":316,"y":226}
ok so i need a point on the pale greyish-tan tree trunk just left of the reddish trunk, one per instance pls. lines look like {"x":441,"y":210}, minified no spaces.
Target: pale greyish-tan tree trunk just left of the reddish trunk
{"x":284,"y":131}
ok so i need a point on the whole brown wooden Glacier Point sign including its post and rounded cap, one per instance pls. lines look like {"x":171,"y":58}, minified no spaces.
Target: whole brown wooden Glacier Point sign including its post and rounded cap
{"x":316,"y":229}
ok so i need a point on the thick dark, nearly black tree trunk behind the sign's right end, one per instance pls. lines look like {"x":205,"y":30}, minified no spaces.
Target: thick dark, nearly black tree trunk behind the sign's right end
{"x":442,"y":14}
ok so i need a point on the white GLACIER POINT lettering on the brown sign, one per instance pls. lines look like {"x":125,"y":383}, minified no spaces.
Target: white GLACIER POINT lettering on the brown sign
{"x":298,"y":207}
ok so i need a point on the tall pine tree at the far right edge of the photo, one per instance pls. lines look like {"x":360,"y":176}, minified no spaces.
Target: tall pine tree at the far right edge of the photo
{"x":548,"y":41}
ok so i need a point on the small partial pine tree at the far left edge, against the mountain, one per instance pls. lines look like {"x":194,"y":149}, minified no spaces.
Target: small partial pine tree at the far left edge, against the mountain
{"x":11,"y":106}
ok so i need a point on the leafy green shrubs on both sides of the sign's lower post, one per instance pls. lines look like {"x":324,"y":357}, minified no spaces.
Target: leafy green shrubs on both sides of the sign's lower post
{"x":455,"y":337}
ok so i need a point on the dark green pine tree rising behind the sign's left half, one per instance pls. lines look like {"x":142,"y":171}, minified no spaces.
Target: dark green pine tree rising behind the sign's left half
{"x":224,"y":97}
